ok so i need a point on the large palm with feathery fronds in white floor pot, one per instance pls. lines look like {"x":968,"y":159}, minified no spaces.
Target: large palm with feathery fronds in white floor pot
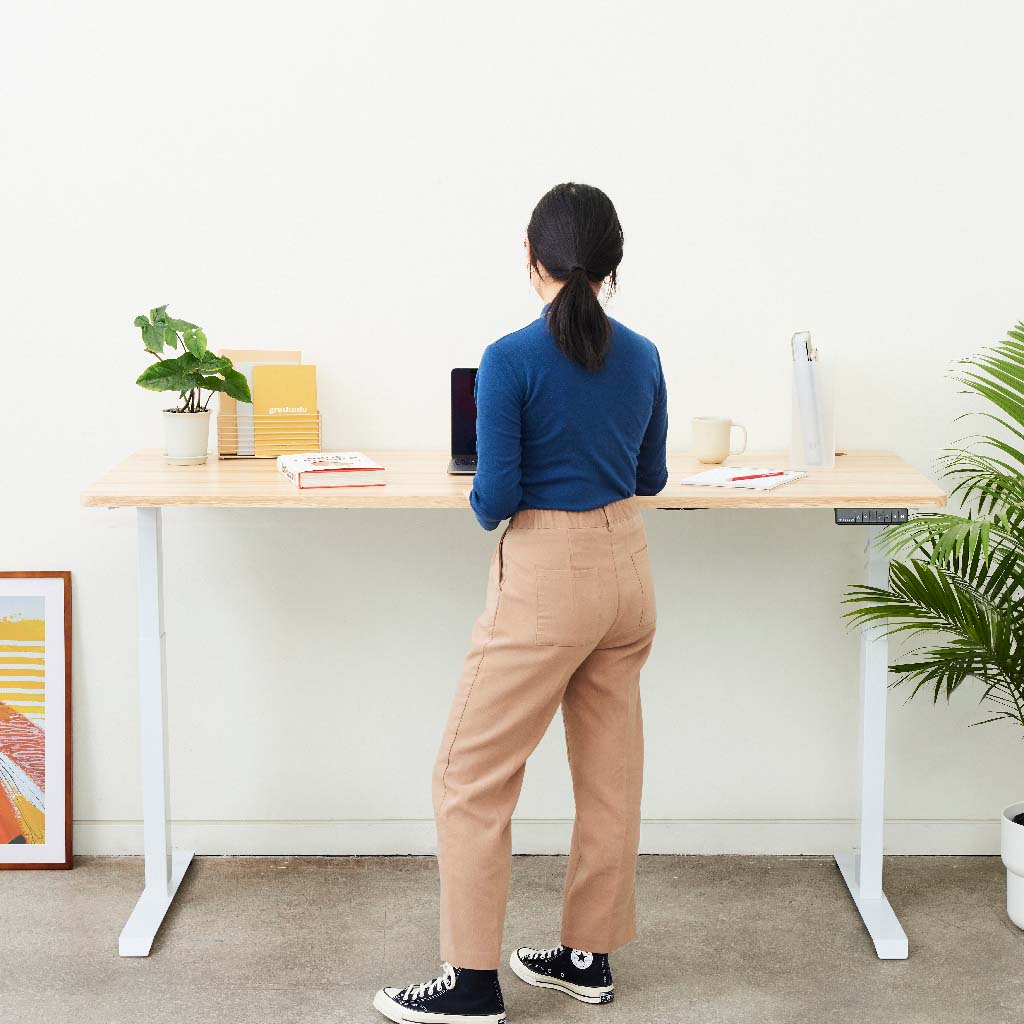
{"x":961,"y":579}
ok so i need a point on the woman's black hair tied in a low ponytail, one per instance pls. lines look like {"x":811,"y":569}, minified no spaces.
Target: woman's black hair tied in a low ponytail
{"x":575,"y":235}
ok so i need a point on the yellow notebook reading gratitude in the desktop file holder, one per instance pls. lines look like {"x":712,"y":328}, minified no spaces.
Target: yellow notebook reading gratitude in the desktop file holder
{"x":284,"y":409}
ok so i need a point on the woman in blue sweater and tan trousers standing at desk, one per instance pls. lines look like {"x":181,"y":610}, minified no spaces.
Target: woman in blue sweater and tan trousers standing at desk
{"x":572,"y":421}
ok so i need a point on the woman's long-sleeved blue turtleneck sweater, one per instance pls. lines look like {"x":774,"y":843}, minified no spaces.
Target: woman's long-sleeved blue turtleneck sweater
{"x":553,"y":436}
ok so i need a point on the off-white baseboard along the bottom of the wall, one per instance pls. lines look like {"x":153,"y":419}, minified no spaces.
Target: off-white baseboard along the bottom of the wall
{"x":697,"y":836}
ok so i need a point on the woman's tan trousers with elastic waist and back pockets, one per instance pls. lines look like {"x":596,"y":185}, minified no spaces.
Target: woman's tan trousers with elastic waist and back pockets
{"x":570,"y":621}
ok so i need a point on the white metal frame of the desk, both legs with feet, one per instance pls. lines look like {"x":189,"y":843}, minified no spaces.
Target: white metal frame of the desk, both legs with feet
{"x":165,"y":868}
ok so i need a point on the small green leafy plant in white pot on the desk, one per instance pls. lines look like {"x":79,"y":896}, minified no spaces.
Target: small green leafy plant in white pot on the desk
{"x":187,"y":429}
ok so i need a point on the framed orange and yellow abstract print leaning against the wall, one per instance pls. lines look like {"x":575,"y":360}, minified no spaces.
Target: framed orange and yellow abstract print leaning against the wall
{"x":35,"y":720}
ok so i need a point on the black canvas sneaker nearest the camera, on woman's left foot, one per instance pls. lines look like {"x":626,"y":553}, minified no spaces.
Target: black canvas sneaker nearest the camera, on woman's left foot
{"x":458,"y":996}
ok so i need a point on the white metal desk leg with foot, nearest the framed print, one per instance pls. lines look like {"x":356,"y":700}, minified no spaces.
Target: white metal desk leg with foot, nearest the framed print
{"x":164,"y":868}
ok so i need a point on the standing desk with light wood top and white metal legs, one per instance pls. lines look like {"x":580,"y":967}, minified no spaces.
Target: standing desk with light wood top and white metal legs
{"x":418,"y":481}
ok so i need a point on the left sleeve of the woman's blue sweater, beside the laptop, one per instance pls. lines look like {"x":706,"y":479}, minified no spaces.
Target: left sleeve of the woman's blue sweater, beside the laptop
{"x":497,"y":487}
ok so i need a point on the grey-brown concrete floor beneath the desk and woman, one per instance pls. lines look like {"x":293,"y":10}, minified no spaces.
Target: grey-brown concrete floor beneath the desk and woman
{"x":724,"y":940}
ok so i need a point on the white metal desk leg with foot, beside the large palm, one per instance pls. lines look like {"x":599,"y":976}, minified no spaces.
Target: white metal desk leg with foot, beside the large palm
{"x":863,"y":869}
